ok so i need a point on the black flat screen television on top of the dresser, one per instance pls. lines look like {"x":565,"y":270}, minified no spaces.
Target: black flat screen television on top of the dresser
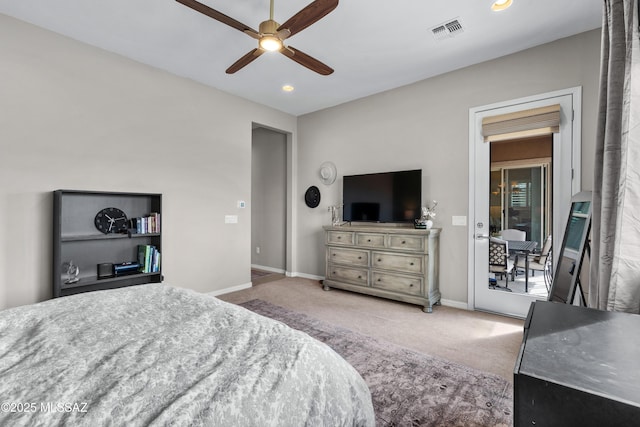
{"x":382,"y":197}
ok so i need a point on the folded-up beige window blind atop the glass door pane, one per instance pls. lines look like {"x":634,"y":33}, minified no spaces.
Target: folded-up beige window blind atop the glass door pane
{"x":522,"y":124}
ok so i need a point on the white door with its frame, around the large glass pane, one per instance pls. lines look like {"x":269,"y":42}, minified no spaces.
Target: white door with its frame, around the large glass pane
{"x":566,"y":182}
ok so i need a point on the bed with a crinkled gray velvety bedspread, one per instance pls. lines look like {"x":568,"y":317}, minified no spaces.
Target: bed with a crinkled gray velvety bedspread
{"x":158,"y":355}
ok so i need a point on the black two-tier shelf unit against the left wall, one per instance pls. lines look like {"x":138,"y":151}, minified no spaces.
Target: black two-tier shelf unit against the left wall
{"x":76,"y":239}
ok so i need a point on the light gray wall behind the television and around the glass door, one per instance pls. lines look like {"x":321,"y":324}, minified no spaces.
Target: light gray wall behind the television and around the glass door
{"x":425,"y":125}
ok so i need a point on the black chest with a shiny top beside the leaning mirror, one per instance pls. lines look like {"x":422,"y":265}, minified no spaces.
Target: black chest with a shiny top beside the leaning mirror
{"x":577,"y":367}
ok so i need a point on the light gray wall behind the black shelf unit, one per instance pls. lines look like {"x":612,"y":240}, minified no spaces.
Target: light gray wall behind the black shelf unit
{"x":77,"y":117}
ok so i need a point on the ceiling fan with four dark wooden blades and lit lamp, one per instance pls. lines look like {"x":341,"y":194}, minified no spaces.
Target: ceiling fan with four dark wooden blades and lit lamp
{"x":271,"y":35}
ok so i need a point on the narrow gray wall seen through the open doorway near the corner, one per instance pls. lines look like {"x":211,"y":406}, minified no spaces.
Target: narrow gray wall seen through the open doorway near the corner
{"x":269,"y":199}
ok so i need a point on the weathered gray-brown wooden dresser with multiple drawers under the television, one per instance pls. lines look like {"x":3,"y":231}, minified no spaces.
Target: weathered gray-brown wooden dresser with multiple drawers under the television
{"x":398,"y":263}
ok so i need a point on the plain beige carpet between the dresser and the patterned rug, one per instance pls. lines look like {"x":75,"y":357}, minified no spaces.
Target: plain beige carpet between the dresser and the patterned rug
{"x":479,"y":340}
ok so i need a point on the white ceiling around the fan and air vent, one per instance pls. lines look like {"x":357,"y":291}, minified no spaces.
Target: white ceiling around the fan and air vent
{"x":373,"y":45}
